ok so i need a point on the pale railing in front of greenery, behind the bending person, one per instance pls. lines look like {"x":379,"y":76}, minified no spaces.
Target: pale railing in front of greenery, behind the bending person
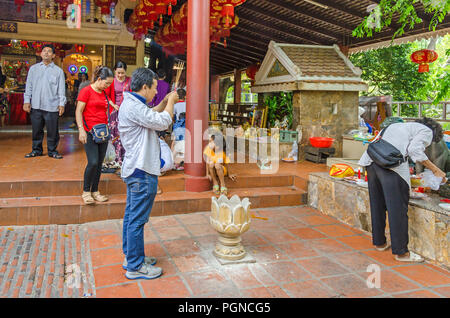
{"x":440,"y":111}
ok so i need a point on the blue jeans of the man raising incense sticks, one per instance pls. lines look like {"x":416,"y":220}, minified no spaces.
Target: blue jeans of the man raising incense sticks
{"x":141,"y":194}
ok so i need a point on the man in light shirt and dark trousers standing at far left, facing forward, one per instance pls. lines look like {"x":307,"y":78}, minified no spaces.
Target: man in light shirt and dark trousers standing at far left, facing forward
{"x":44,"y":99}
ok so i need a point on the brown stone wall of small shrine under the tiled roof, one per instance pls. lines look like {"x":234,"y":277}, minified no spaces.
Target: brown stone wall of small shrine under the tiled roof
{"x":325,"y":114}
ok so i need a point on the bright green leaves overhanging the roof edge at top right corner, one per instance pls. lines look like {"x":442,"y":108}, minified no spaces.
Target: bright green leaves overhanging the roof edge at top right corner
{"x":382,"y":16}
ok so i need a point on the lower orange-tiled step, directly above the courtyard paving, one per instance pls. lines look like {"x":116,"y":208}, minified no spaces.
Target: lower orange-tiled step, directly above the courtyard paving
{"x":72,"y":210}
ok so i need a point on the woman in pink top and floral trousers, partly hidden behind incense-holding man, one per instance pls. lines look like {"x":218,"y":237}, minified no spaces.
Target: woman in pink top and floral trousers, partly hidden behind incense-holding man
{"x":120,"y":84}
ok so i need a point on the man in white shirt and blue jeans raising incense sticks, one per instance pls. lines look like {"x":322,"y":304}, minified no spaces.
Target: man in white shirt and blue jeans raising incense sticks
{"x":138,"y":126}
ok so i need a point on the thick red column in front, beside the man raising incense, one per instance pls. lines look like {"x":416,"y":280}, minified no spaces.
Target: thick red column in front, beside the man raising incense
{"x":197,"y":94}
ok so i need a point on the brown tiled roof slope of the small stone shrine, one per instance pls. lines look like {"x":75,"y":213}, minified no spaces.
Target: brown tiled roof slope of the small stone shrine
{"x":318,"y":61}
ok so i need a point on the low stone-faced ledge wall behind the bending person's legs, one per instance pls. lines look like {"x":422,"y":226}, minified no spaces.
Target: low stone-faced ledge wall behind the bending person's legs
{"x":429,"y":225}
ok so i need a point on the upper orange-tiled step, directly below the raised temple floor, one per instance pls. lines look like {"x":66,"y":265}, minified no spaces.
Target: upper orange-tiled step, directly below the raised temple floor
{"x":112,"y":184}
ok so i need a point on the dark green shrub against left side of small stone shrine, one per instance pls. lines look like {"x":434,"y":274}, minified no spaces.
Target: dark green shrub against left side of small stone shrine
{"x":279,"y":106}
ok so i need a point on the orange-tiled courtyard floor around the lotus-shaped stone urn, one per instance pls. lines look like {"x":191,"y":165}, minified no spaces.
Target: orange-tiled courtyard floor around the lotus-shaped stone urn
{"x":299,"y":252}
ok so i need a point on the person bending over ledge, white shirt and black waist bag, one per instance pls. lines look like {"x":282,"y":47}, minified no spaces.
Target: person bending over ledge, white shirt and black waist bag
{"x":389,"y":182}
